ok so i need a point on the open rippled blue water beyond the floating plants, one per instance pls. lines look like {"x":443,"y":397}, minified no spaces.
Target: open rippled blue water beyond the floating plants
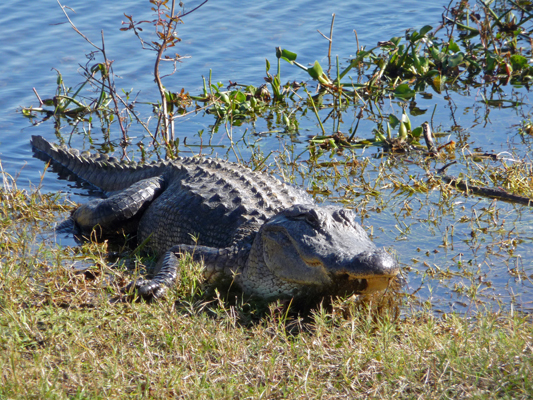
{"x":232,"y":41}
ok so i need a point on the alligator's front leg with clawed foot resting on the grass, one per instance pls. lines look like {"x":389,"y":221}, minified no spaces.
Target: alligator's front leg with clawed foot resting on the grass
{"x":216,"y":263}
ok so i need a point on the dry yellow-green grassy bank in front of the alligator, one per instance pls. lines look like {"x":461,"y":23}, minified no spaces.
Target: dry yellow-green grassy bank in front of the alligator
{"x":66,"y":334}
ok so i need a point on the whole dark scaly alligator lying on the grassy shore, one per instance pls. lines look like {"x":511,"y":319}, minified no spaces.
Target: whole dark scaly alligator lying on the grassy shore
{"x":268,"y":238}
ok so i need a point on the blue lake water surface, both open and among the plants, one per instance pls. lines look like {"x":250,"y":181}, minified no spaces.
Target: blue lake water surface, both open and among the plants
{"x":233,"y":41}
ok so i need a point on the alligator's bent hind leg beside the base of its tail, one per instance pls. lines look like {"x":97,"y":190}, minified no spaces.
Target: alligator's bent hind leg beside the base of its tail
{"x":114,"y":212}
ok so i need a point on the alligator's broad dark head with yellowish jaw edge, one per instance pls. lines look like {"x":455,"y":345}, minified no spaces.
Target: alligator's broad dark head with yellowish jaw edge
{"x":311,"y":250}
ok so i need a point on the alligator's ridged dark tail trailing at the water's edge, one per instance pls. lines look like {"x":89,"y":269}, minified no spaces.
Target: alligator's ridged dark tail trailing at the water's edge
{"x":106,"y":173}
